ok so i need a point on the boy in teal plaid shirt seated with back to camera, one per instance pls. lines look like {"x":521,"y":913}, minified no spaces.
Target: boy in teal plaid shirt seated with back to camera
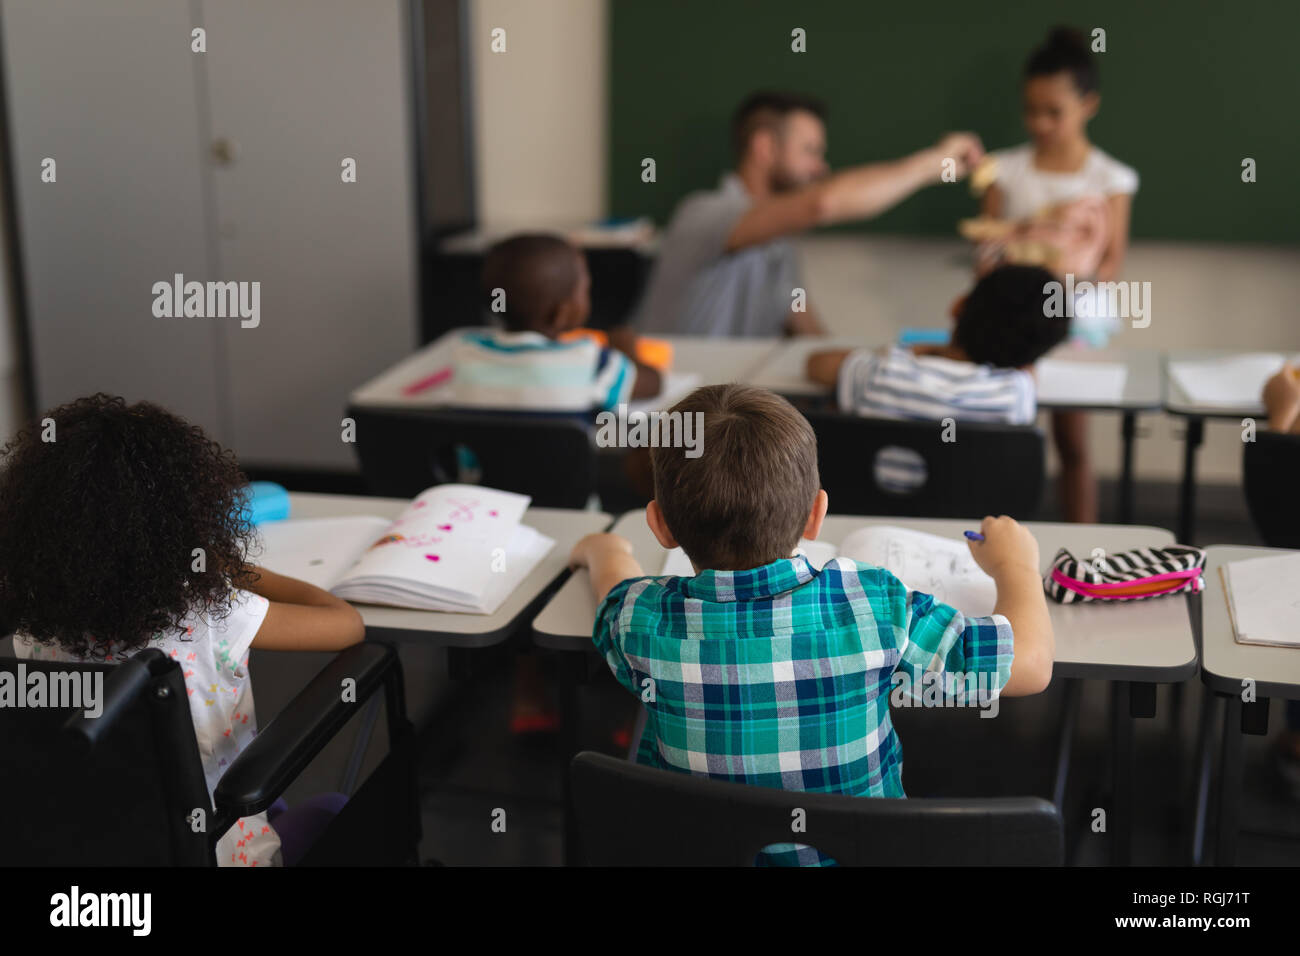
{"x":765,"y":671}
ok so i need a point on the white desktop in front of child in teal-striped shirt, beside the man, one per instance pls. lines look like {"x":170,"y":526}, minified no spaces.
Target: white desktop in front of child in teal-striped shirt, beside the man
{"x":714,"y":361}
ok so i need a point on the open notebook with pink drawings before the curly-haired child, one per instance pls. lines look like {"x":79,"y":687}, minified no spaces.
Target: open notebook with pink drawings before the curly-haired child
{"x":456,"y":548}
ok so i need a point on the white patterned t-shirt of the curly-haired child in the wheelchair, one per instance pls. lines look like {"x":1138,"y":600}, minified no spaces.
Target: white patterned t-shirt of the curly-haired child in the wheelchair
{"x":214,"y":657}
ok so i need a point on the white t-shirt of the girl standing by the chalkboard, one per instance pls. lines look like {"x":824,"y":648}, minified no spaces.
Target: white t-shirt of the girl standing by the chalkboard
{"x":1026,"y":189}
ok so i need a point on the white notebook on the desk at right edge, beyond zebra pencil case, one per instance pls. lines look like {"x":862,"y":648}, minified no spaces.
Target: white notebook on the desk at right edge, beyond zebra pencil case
{"x":1264,"y":600}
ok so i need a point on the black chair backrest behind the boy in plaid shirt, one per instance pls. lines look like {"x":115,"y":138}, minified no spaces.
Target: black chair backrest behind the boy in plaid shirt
{"x":638,"y":816}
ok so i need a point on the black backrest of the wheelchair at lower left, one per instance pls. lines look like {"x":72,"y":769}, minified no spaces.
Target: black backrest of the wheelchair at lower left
{"x":118,"y":789}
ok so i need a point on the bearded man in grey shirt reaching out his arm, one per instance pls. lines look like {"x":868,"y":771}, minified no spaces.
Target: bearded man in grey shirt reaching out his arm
{"x":726,"y":266}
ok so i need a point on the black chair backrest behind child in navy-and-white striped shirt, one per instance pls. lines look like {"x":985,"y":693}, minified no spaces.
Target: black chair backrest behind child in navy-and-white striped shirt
{"x":989,"y":470}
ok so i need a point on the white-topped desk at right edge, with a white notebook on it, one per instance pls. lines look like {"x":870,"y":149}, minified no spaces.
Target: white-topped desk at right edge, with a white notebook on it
{"x":1225,"y":669}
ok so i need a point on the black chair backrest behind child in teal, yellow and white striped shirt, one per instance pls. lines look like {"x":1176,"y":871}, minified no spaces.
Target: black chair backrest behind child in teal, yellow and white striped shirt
{"x":402,"y":453}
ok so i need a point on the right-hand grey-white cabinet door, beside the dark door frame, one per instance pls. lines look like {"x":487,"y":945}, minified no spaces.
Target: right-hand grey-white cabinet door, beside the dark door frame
{"x":296,"y":88}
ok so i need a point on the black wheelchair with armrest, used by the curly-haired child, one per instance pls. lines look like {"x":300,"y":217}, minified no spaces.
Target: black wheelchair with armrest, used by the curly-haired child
{"x":122,"y":789}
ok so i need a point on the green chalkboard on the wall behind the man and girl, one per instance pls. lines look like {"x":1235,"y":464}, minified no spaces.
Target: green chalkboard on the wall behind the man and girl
{"x":1189,"y":92}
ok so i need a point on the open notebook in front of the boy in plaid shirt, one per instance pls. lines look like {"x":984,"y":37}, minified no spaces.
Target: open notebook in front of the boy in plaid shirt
{"x":935,"y":565}
